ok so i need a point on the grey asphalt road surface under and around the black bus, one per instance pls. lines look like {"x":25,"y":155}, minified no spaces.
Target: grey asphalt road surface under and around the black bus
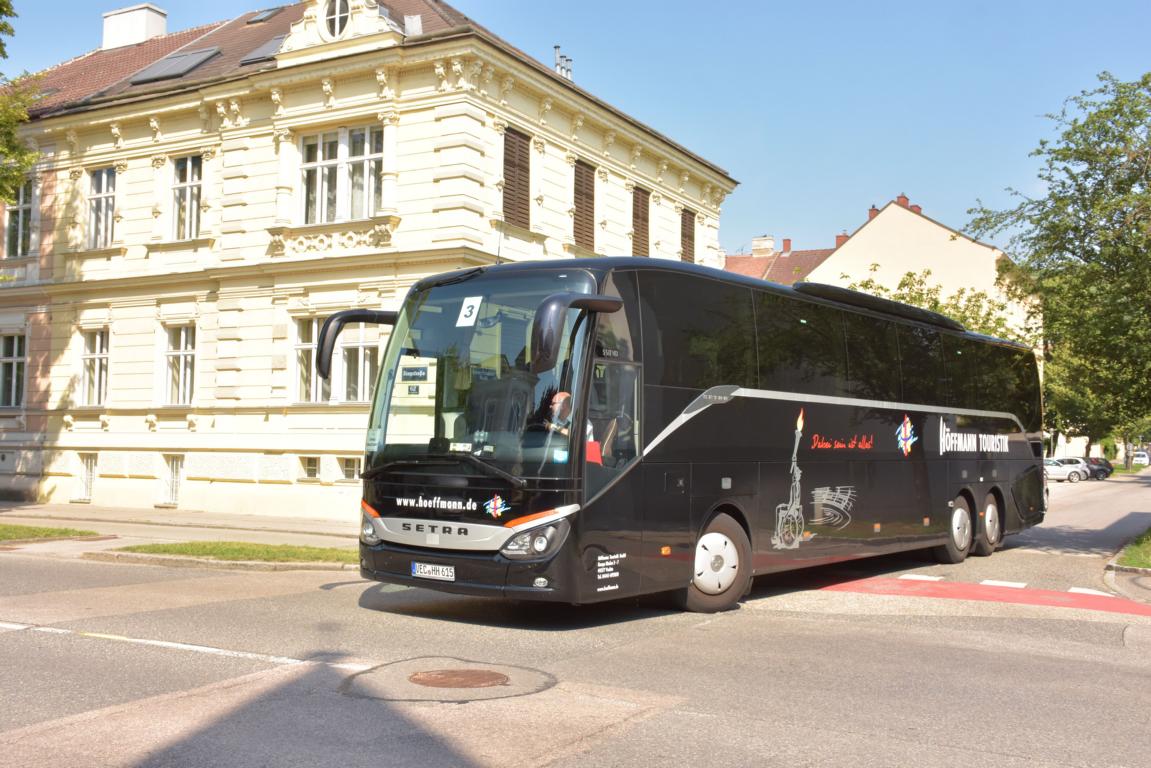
{"x":110,"y":665}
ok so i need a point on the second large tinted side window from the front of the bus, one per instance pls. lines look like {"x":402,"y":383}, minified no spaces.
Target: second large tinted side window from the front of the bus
{"x":802,"y":346}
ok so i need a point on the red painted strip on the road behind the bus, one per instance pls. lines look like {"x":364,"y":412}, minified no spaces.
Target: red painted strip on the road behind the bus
{"x":988,"y":594}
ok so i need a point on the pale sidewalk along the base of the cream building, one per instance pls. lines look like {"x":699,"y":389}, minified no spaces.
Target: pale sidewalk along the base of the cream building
{"x":126,"y":527}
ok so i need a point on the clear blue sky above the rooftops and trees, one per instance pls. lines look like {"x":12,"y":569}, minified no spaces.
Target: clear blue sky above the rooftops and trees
{"x":819,"y":110}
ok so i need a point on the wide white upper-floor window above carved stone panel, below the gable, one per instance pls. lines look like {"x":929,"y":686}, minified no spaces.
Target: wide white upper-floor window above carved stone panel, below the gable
{"x":334,"y":178}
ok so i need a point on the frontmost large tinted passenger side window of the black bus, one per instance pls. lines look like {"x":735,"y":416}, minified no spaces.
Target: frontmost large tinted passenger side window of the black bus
{"x":697,"y":333}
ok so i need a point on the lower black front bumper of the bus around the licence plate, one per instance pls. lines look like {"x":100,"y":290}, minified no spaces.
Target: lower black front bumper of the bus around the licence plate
{"x":486,"y":575}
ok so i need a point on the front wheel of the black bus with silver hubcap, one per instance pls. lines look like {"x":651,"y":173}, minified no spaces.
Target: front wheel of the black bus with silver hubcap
{"x":722,"y":572}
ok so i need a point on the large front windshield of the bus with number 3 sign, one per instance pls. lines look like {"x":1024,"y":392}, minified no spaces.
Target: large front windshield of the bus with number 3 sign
{"x":458,"y":384}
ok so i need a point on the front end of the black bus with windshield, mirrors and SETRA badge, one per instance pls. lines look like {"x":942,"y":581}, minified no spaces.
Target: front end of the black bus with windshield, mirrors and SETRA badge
{"x":471,"y":480}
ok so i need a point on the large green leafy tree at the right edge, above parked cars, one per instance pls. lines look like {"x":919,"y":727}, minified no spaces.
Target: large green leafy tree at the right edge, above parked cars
{"x":1085,"y":250}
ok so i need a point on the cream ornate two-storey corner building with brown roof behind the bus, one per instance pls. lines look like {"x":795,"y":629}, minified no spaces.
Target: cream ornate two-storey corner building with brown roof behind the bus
{"x":205,"y":199}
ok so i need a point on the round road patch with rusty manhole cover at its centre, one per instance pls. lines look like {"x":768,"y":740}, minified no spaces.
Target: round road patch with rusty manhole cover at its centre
{"x":444,"y":679}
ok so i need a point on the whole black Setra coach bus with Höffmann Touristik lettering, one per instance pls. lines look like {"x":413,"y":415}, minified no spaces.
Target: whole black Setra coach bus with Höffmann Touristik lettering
{"x":598,"y":429}
